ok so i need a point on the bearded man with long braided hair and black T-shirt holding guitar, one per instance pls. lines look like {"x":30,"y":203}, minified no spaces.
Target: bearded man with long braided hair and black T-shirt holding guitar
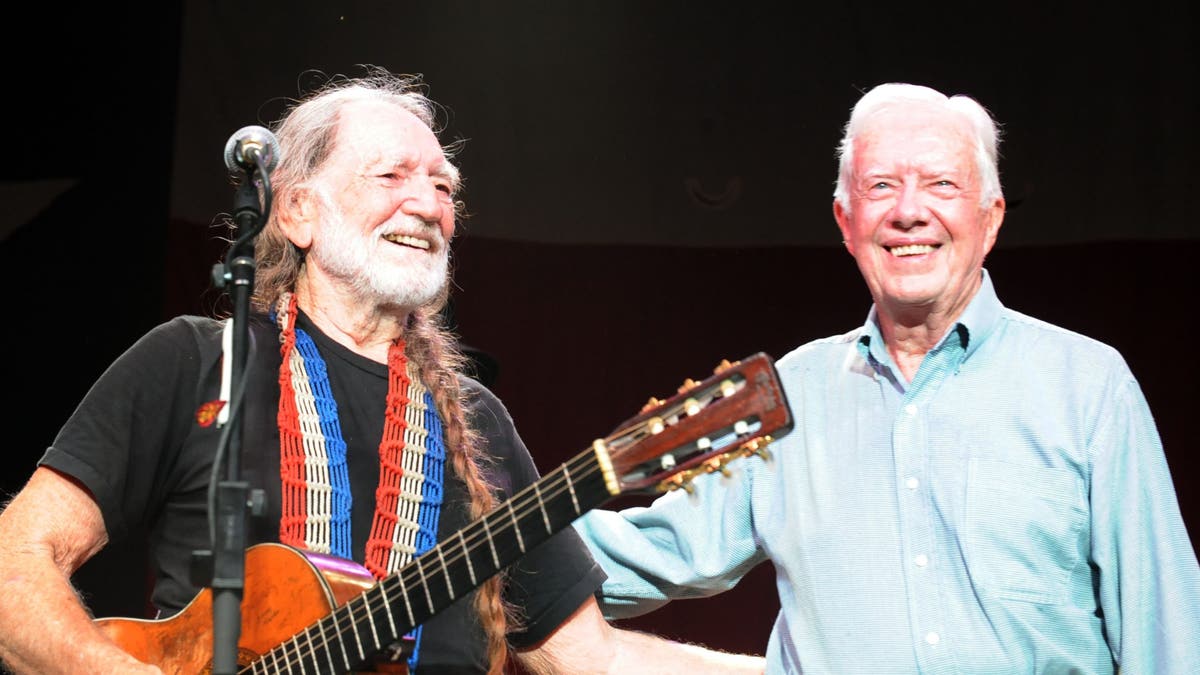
{"x":368,"y":440}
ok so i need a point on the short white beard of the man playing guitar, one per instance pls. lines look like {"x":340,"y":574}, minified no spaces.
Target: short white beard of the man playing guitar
{"x":350,"y":256}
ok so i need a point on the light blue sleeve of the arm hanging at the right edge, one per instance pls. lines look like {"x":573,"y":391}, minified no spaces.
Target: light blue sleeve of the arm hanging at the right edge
{"x":1149,"y":577}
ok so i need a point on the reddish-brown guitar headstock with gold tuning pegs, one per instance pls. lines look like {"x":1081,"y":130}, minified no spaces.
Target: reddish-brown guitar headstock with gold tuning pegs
{"x":733,"y":414}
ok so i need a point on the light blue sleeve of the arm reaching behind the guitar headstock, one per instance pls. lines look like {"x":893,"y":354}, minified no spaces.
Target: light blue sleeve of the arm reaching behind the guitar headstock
{"x":683,"y":546}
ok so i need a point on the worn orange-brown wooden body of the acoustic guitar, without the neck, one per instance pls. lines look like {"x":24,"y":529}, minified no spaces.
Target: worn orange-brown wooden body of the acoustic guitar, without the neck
{"x":286,"y":590}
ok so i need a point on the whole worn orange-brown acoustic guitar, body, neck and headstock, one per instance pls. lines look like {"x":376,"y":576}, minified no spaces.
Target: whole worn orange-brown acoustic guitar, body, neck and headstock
{"x":317,"y":614}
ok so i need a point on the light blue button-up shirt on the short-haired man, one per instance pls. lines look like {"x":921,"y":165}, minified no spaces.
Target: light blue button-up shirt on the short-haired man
{"x":1010,"y":511}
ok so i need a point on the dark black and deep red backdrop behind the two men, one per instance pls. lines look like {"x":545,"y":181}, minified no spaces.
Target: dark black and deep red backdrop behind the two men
{"x":649,"y":187}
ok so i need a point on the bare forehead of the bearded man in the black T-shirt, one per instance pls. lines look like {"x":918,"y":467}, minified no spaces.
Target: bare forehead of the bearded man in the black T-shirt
{"x":379,"y":133}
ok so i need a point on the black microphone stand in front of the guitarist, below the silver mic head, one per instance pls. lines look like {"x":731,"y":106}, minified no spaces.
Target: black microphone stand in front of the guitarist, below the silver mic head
{"x":226,"y":564}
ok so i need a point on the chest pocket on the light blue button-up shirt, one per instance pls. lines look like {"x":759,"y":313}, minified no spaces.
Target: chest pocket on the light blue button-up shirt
{"x":1023,"y":529}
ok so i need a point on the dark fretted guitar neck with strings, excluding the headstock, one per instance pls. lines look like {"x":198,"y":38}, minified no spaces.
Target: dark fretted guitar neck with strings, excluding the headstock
{"x":453,"y":569}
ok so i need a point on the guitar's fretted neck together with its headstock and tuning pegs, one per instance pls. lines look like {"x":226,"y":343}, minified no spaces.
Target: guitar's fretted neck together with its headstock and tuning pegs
{"x":700,"y":429}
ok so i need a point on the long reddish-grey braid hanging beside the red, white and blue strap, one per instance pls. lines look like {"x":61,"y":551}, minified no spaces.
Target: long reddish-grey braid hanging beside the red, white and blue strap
{"x":431,"y":347}
